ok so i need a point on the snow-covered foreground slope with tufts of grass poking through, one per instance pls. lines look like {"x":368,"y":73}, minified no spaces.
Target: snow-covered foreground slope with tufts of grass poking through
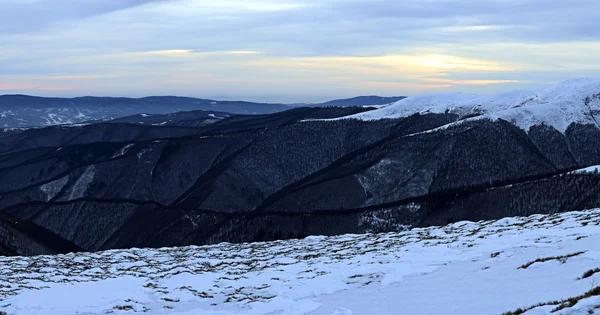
{"x":464,"y":268}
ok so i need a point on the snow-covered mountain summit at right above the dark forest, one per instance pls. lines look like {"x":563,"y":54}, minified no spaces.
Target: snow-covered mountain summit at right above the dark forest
{"x":560,"y":105}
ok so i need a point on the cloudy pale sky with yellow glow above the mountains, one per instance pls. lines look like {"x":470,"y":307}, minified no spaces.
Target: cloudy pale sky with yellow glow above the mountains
{"x":293,"y":50}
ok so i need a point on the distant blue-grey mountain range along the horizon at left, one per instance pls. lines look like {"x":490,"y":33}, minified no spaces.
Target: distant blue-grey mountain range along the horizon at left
{"x":18,"y":111}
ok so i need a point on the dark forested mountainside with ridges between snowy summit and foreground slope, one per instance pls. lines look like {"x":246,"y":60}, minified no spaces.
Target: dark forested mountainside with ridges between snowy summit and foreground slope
{"x":285,"y":175}
